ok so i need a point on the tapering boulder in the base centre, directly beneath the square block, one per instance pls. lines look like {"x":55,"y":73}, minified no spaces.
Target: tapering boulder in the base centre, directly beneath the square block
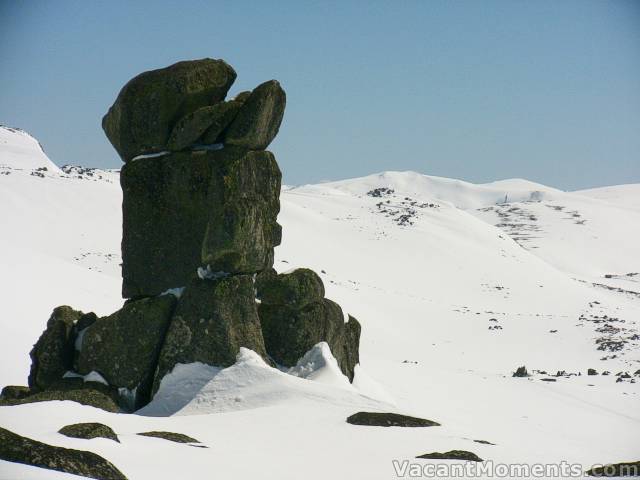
{"x":213,"y":319}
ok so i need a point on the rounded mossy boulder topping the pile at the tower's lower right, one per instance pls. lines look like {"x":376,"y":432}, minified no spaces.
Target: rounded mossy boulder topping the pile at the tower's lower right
{"x":297,"y":288}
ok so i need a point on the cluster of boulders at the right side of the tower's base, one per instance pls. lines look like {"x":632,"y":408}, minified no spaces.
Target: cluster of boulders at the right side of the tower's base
{"x":295,"y":316}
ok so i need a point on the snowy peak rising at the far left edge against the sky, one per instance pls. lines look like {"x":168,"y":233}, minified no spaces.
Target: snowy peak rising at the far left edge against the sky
{"x":21,"y":151}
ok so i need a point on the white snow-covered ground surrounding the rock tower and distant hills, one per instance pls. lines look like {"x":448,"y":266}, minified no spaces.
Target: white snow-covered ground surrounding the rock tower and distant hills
{"x":455,"y":285}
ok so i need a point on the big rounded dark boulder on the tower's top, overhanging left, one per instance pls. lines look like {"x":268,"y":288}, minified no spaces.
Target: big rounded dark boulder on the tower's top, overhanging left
{"x":149,"y":105}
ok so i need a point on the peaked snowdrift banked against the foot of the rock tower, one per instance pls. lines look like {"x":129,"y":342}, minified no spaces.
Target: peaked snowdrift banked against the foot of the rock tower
{"x":197,"y":389}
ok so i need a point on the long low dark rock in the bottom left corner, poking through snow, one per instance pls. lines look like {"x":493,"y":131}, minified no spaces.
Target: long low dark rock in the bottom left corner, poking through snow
{"x":19,"y":449}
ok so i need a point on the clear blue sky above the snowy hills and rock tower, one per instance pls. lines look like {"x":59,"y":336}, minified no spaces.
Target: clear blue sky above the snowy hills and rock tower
{"x":478,"y":90}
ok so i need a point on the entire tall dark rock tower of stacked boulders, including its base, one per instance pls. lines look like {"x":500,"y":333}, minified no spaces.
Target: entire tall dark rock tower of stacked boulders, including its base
{"x":200,"y":203}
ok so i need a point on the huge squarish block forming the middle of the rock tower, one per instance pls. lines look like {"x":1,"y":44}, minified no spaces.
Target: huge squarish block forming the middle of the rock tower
{"x":189,"y":209}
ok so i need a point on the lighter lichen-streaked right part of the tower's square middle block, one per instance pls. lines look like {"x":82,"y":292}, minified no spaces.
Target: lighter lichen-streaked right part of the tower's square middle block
{"x":242,"y":230}
